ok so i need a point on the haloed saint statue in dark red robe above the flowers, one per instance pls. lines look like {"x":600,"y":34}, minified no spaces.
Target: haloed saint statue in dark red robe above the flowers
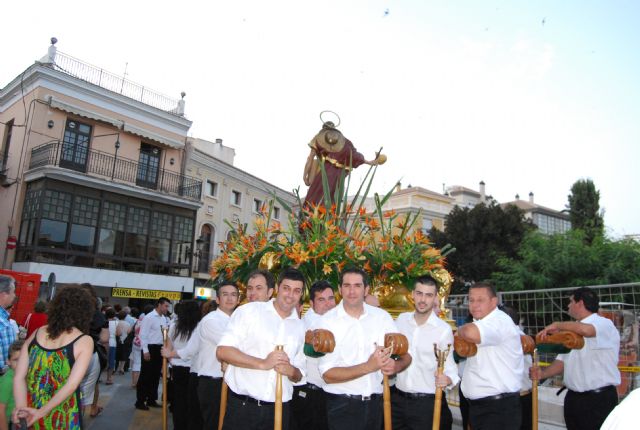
{"x":337,"y":153}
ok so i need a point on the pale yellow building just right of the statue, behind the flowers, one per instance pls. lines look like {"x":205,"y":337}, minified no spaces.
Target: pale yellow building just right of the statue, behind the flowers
{"x":433,"y":207}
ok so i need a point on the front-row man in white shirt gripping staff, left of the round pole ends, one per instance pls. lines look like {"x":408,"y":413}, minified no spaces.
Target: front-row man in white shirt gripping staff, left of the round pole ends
{"x":249,"y":347}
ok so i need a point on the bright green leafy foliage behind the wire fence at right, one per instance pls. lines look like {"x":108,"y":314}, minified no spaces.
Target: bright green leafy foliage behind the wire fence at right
{"x":566,"y":260}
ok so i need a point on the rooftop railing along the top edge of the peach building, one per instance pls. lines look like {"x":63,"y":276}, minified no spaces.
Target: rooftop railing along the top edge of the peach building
{"x":112,"y":82}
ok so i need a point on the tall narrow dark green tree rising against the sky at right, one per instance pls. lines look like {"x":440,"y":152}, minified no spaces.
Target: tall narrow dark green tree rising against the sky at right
{"x":584,"y":209}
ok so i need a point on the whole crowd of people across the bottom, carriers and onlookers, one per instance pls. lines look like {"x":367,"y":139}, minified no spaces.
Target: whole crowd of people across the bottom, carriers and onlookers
{"x":50,"y":379}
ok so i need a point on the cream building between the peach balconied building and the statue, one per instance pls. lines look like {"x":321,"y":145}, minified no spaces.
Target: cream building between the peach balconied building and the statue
{"x":229,"y":194}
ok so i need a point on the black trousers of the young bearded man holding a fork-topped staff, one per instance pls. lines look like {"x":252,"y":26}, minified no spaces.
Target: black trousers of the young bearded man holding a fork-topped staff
{"x":417,"y":413}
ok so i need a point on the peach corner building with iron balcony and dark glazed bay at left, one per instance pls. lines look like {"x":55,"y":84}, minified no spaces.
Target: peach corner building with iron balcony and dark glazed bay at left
{"x":93,"y":181}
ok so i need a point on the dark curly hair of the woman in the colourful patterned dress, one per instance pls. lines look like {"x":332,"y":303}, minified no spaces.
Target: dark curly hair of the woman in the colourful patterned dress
{"x":72,"y":306}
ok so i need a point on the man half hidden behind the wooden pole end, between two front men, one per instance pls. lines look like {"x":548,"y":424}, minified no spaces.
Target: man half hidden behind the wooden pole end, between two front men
{"x":308,"y":405}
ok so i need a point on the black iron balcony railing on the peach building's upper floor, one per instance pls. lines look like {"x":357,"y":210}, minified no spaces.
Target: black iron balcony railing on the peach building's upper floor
{"x":113,"y":168}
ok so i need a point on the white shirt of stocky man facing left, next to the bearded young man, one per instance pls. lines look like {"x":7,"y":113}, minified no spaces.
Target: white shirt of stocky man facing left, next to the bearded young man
{"x":498,"y":366}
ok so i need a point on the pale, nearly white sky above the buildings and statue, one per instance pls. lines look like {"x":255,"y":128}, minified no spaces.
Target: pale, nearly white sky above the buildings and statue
{"x":525,"y":96}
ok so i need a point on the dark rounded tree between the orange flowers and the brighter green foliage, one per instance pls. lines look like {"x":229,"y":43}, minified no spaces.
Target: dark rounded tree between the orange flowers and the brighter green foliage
{"x":481,"y":235}
